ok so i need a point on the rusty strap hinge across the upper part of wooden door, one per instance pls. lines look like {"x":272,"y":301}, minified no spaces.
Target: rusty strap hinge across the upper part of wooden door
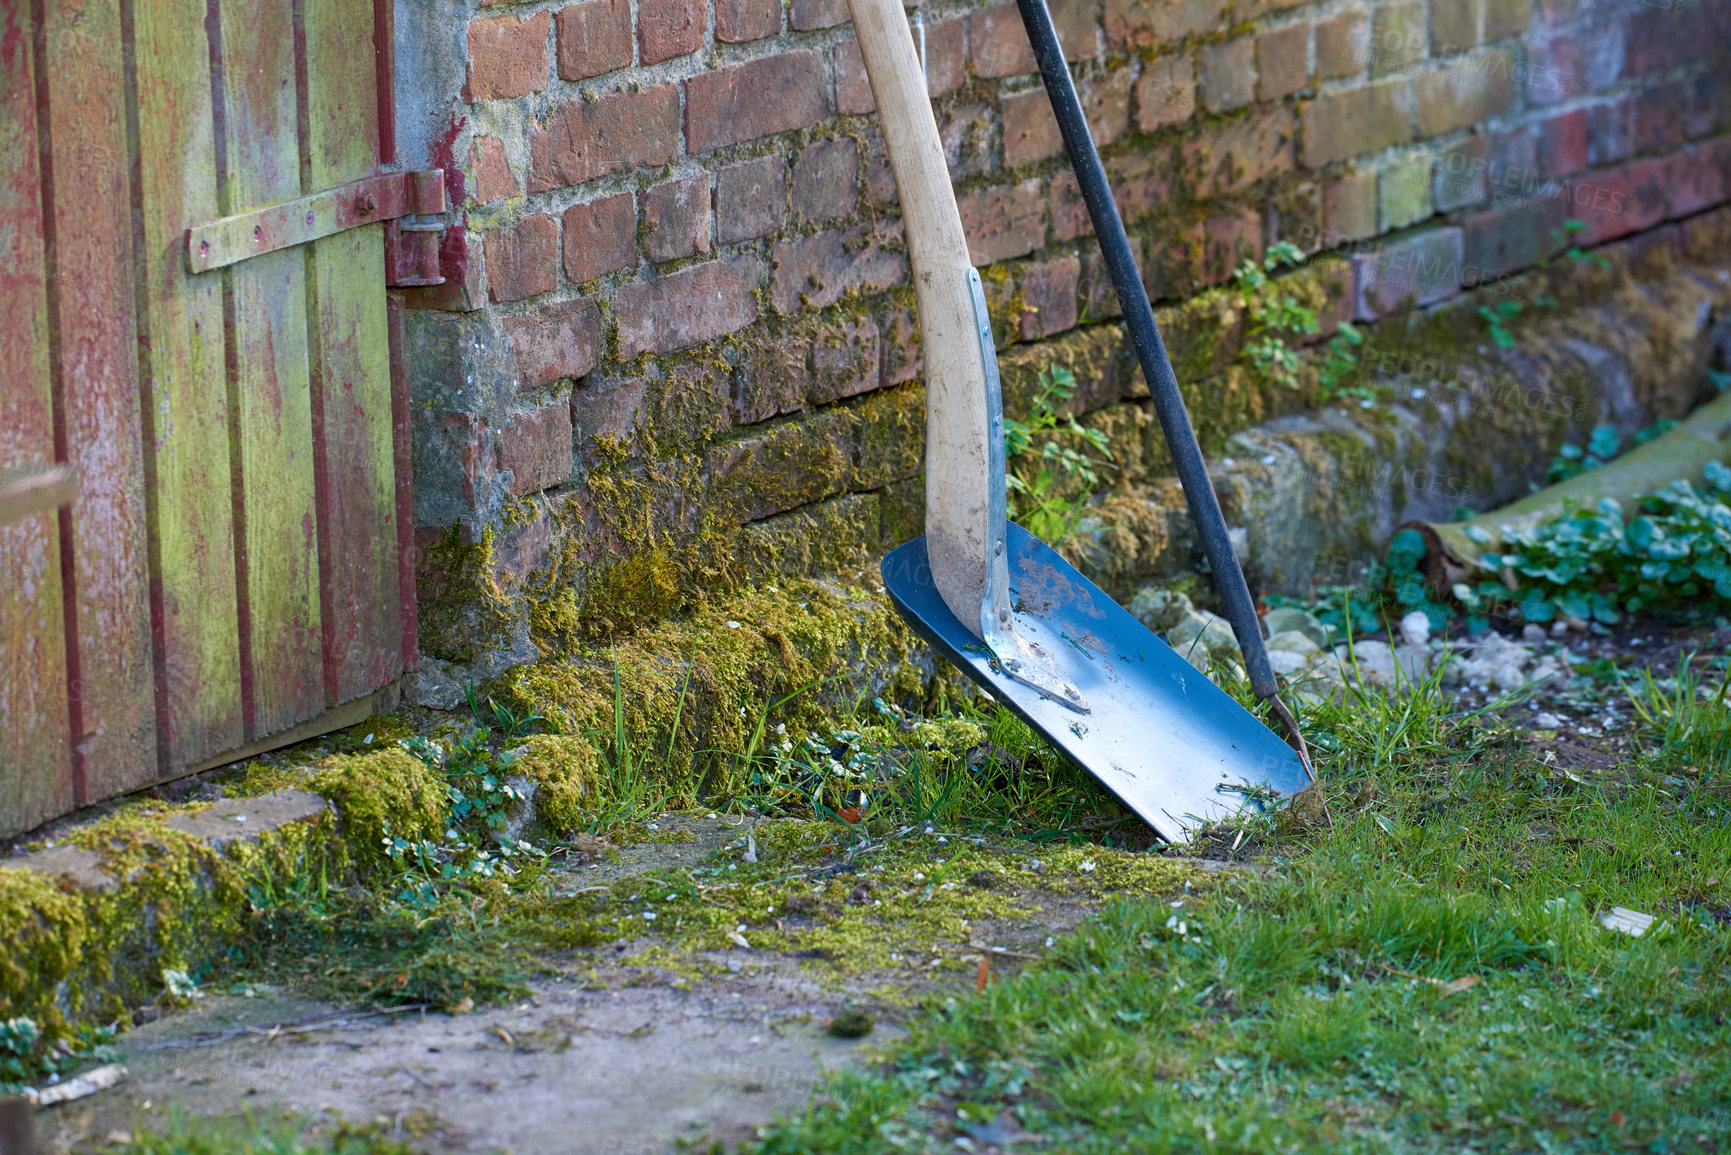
{"x":383,"y":198}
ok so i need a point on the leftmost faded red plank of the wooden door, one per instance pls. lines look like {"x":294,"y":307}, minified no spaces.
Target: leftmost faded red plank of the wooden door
{"x":35,"y":752}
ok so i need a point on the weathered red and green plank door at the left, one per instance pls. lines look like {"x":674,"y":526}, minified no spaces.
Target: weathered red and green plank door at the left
{"x":235,"y":564}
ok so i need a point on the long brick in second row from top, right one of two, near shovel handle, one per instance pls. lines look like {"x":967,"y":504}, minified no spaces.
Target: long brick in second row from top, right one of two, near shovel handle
{"x":759,"y":100}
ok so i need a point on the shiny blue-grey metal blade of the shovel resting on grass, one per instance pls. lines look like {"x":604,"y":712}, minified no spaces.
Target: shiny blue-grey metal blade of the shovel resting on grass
{"x":1173,"y":745}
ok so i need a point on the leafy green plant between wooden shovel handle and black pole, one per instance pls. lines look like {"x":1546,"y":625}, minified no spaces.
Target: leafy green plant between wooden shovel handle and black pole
{"x":1055,"y":461}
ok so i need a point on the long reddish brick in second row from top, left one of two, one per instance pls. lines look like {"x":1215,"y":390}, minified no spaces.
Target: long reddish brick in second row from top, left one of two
{"x":586,"y":139}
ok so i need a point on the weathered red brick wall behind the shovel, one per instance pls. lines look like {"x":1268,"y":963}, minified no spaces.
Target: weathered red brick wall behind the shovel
{"x":678,"y":311}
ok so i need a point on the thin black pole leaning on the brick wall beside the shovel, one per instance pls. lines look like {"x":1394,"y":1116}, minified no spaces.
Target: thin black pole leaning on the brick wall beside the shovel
{"x":1150,"y":351}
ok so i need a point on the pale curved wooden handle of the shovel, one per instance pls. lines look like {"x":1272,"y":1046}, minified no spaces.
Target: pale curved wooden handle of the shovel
{"x":958,"y":475}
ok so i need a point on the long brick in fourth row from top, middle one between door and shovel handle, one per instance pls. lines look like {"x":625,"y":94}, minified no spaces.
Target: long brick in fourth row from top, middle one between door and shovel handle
{"x":690,"y":307}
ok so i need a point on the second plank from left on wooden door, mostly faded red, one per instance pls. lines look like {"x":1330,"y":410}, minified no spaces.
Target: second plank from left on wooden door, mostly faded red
{"x":113,"y":702}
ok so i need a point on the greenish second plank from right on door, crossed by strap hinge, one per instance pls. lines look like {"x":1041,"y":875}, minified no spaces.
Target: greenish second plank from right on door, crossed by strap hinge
{"x":269,"y":377}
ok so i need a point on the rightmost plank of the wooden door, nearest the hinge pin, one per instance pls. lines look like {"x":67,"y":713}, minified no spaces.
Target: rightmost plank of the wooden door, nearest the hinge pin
{"x":352,"y":377}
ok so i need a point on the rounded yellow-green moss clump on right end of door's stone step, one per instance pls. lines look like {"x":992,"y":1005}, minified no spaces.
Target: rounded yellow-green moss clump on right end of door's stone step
{"x":380,"y":796}
